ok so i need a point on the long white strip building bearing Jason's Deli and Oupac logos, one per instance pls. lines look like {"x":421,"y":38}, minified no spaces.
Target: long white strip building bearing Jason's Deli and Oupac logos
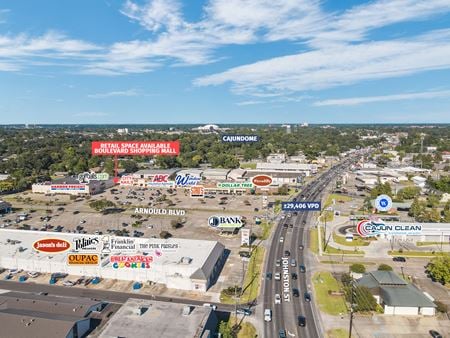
{"x":178,"y":263}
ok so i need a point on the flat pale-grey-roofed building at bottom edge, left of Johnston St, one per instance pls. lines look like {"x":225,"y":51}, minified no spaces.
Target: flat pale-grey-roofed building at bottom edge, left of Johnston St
{"x":140,"y":318}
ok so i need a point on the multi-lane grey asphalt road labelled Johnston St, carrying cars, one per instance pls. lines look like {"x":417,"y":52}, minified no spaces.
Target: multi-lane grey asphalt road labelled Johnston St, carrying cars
{"x":294,"y":231}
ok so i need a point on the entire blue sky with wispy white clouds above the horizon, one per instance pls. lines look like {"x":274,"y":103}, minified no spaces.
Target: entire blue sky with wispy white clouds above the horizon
{"x":224,"y":61}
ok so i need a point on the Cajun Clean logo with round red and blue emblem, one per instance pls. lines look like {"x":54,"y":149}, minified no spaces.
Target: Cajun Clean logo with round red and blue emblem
{"x":367,"y":228}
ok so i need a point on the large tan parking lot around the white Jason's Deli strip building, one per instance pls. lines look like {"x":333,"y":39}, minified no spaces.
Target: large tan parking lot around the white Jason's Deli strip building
{"x":62,"y":213}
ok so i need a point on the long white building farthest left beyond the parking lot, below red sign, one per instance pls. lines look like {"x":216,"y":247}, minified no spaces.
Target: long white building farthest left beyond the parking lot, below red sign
{"x":71,"y":186}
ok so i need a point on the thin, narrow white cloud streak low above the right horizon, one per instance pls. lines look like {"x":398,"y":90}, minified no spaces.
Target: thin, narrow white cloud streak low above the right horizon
{"x":384,"y":98}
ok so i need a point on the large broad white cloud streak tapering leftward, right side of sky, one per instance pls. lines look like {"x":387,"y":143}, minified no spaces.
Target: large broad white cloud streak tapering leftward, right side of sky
{"x":340,"y":65}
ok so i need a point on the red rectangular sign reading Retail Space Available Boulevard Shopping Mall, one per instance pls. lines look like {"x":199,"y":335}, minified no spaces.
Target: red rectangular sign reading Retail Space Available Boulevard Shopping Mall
{"x":135,"y":148}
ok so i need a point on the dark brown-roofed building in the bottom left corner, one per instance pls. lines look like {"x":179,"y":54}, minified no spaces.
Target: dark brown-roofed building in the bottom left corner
{"x":39,"y":316}
